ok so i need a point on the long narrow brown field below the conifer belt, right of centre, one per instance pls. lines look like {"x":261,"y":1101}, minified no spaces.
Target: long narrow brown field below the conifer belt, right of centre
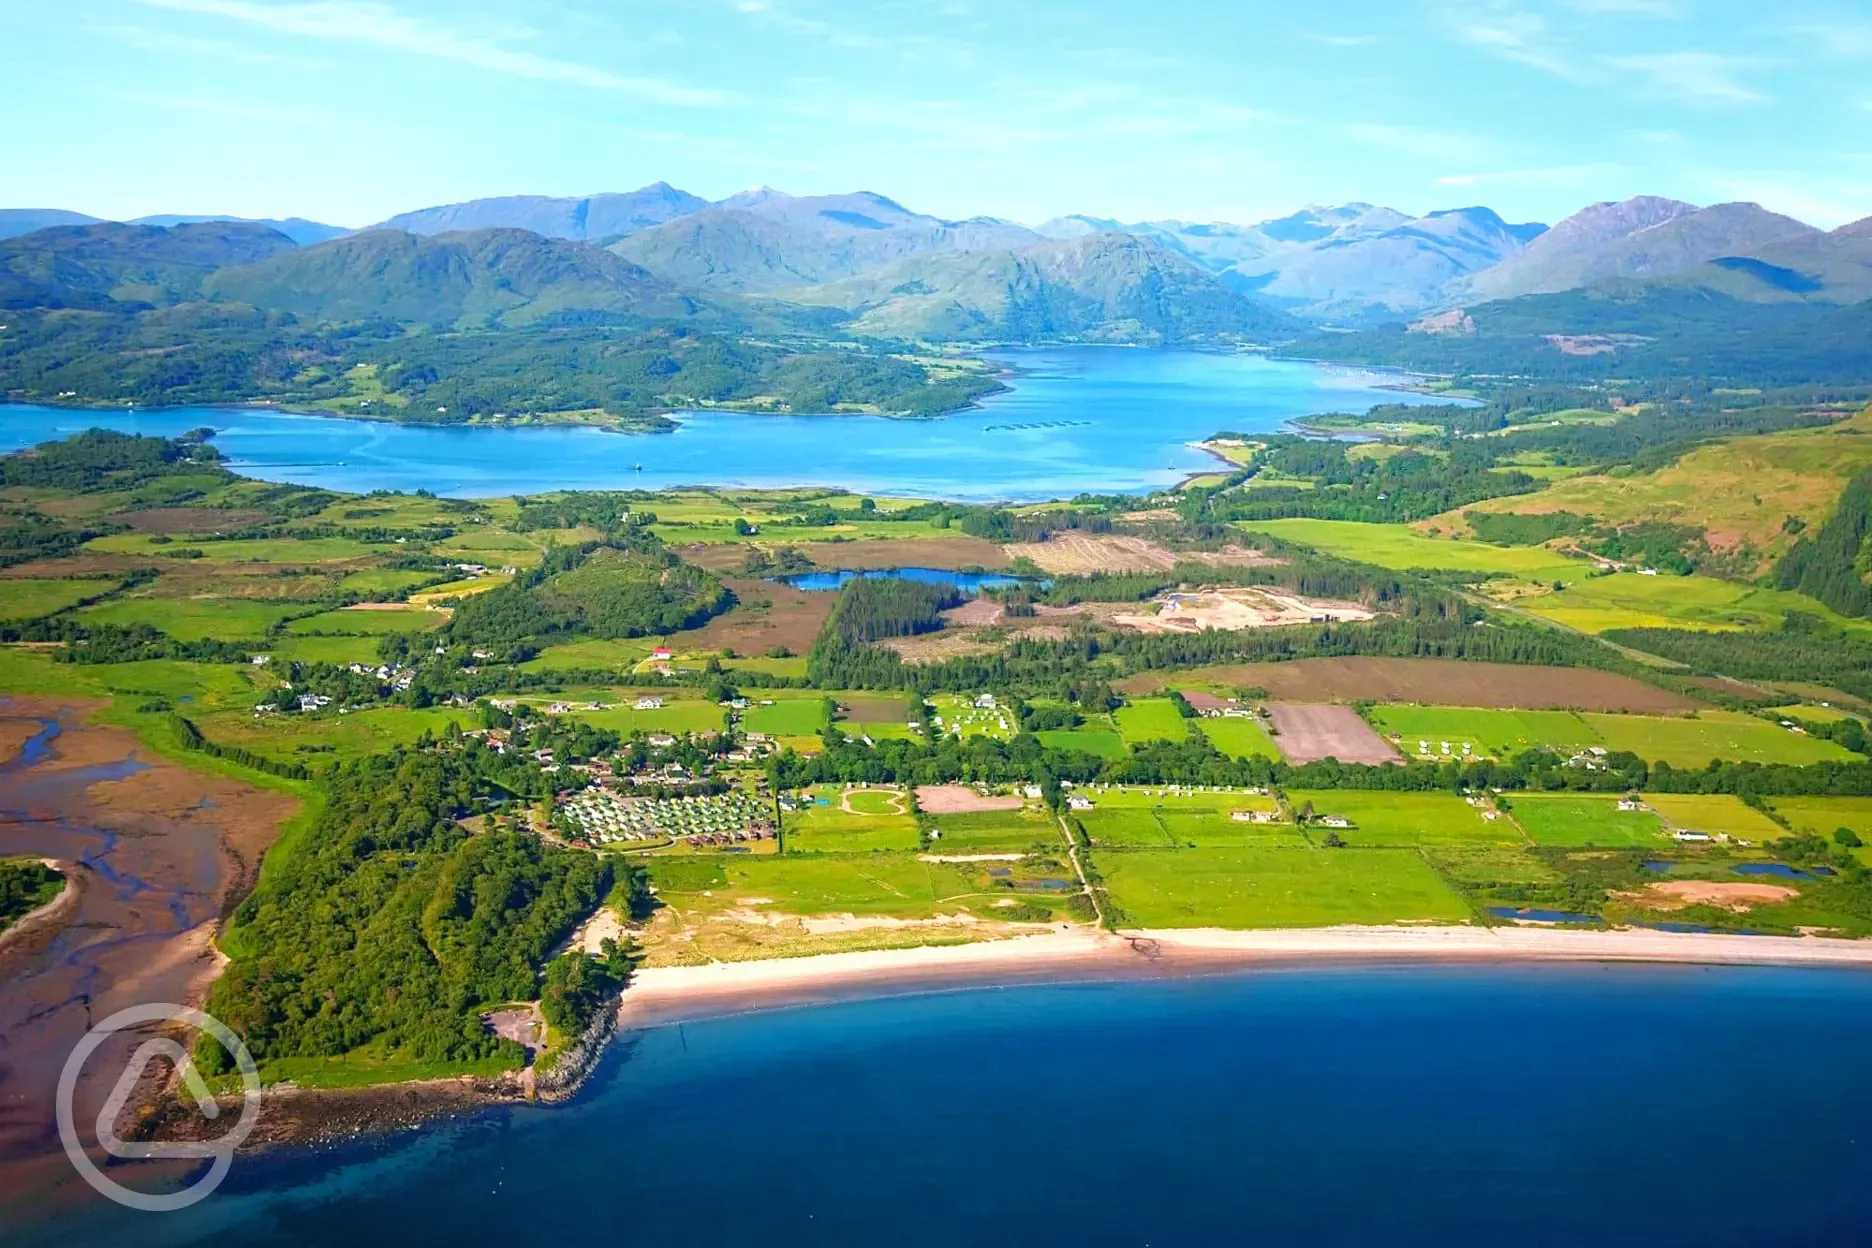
{"x":1439,"y":682}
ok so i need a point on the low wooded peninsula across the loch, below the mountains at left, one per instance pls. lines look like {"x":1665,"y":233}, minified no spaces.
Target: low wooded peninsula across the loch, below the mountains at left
{"x":199,"y":355}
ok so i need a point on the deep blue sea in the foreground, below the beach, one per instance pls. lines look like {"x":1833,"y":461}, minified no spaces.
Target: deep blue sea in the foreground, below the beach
{"x":1341,"y":1107}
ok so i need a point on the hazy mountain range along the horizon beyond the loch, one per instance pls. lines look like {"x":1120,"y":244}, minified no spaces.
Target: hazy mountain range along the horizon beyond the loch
{"x":877,"y":268}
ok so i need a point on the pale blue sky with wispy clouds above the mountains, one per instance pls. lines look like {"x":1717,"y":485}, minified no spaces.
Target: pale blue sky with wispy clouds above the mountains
{"x":349,"y":111}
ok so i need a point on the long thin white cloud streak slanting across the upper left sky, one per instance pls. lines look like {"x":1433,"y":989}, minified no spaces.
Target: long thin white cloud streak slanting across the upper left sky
{"x":379,"y":25}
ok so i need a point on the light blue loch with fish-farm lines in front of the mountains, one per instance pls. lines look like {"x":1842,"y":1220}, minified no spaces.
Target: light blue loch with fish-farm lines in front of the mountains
{"x":1077,"y":420}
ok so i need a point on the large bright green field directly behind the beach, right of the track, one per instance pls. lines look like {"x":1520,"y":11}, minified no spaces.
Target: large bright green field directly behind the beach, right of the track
{"x":1276,"y":888}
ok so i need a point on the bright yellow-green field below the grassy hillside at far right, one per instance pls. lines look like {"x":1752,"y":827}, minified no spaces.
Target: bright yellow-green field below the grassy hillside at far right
{"x":1637,"y":602}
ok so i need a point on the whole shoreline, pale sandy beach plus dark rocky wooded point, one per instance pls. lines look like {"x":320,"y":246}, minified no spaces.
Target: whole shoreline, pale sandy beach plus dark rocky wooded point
{"x":1074,"y":955}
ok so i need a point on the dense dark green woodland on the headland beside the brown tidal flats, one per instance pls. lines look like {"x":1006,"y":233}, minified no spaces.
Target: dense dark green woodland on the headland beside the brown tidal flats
{"x":390,"y":927}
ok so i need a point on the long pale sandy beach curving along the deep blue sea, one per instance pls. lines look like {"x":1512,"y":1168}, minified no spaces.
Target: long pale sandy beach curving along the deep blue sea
{"x":1079,"y":955}
